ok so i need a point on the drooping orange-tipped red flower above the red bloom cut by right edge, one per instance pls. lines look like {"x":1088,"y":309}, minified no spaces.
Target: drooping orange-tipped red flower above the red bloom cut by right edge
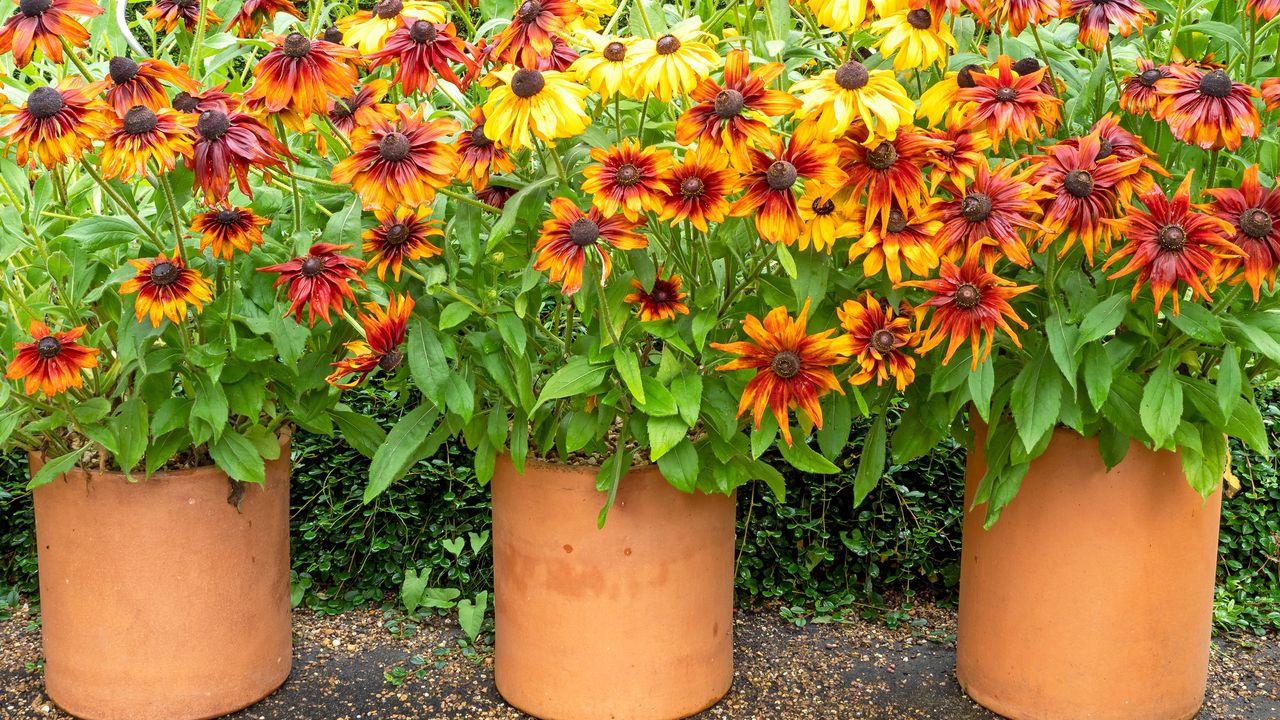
{"x":1208,"y":108}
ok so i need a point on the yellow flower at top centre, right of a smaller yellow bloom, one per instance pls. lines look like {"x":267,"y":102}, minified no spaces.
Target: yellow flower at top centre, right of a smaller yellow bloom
{"x":675,"y":63}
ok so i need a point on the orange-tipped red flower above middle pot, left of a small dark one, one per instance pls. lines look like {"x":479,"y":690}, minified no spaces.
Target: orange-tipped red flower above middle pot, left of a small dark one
{"x":570,"y":235}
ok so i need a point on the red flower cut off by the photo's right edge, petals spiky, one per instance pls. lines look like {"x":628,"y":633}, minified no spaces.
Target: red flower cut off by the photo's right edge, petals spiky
{"x":1255,"y":213}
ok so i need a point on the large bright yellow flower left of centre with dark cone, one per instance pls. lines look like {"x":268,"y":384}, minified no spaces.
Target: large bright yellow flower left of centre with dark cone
{"x":533,"y":103}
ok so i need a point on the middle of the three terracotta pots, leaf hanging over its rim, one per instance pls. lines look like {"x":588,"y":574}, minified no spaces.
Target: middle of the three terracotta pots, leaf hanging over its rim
{"x":633,"y":622}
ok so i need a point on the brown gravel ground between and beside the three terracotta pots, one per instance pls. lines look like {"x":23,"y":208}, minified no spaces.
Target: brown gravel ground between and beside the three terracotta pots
{"x":355,"y":668}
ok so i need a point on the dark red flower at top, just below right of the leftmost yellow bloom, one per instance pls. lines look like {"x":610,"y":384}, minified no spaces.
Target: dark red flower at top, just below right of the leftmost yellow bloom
{"x":422,"y":51}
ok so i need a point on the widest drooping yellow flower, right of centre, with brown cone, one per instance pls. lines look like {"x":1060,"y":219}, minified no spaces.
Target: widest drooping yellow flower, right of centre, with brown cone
{"x":851,"y":93}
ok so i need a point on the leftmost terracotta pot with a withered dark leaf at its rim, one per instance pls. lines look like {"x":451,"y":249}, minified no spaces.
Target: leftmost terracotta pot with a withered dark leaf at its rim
{"x":159,"y":600}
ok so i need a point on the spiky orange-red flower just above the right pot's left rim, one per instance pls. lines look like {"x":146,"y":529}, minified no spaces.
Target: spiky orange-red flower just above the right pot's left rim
{"x":970,"y":303}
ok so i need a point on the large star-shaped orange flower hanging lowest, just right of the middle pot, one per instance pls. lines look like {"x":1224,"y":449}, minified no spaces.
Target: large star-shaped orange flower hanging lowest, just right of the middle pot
{"x":793,"y":368}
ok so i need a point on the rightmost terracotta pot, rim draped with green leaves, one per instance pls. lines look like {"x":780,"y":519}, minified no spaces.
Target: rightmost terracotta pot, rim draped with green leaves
{"x":1092,"y":598}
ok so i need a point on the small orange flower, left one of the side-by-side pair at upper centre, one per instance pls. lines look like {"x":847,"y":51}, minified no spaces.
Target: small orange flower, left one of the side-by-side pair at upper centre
{"x":628,"y":177}
